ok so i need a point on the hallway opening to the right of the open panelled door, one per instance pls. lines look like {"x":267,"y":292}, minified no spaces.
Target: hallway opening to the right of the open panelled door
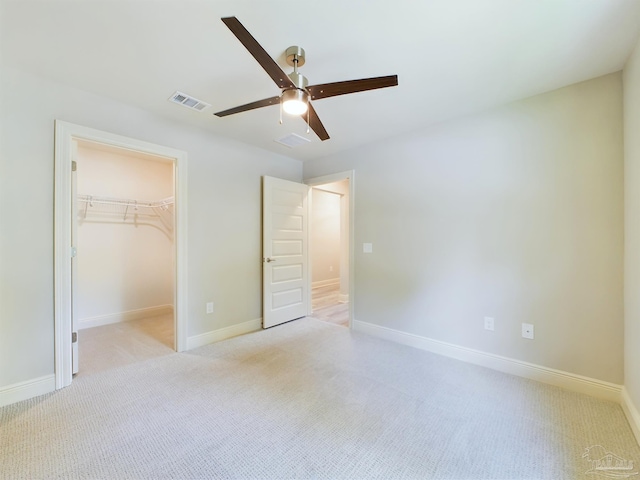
{"x":330,"y":248}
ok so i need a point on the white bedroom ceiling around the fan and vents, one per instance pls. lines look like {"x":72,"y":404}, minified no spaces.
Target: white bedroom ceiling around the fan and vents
{"x":452,"y":57}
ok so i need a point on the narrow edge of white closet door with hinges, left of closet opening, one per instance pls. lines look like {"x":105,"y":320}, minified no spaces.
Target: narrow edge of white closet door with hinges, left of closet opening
{"x":74,"y":257}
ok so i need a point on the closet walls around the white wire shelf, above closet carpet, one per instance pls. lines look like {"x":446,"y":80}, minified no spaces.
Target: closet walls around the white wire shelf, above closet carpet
{"x":125,"y":254}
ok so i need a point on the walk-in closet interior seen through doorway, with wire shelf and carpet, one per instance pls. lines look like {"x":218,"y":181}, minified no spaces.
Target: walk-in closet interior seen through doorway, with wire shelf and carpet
{"x":125,"y":266}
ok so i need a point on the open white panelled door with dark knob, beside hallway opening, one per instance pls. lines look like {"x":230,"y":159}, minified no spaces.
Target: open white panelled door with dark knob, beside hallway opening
{"x":285,"y":218}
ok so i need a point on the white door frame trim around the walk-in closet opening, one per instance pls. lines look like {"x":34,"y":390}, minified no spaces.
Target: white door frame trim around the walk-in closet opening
{"x":65,"y":133}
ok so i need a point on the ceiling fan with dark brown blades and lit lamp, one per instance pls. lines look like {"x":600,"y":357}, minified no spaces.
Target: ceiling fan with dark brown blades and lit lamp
{"x":297,"y":94}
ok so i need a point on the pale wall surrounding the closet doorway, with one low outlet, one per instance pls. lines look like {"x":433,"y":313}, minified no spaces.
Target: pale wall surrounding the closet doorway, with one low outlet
{"x":224,"y":182}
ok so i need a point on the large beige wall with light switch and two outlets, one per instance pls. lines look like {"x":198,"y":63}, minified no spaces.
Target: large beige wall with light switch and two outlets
{"x":515,"y":213}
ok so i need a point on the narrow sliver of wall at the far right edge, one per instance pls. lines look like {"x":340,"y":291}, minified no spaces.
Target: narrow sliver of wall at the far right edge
{"x":631,"y":82}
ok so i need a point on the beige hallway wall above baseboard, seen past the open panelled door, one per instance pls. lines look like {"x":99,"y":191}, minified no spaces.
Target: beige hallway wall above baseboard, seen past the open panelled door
{"x":325,"y":236}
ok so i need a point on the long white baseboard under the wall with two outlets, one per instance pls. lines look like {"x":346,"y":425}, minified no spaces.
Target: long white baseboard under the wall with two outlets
{"x":559,"y":378}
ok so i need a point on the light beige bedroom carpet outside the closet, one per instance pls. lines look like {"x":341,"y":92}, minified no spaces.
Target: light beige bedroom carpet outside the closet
{"x":307,"y":400}
